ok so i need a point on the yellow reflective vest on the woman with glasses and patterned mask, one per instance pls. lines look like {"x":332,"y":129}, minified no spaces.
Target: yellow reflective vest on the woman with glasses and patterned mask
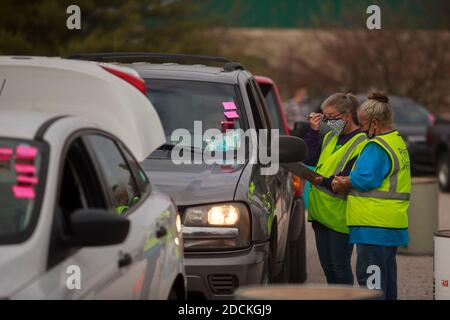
{"x":325,"y":206}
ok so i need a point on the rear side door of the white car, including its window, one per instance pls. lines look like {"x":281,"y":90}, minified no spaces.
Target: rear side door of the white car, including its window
{"x":142,"y":254}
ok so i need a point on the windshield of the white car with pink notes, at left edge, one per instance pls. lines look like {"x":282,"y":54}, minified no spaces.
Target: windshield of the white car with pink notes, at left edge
{"x":20,"y":184}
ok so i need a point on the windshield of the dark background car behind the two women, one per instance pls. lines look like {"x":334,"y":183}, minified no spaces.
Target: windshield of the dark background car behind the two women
{"x":407,"y":112}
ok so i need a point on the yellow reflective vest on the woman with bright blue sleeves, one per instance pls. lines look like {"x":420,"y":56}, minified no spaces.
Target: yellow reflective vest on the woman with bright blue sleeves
{"x":387,"y":206}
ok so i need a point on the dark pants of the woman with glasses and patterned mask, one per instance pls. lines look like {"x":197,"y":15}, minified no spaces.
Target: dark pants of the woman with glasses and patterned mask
{"x":335,"y":254}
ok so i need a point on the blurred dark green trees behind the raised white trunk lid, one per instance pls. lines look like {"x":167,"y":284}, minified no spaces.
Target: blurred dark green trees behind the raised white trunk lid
{"x":39,"y":27}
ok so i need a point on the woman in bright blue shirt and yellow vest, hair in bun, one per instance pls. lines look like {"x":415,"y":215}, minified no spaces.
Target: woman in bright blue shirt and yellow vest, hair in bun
{"x":378,"y":191}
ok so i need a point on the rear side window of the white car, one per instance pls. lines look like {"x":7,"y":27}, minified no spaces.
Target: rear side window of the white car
{"x":119,"y":180}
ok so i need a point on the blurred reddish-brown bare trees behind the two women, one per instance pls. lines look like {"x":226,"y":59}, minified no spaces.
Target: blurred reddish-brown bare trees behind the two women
{"x":413,"y":64}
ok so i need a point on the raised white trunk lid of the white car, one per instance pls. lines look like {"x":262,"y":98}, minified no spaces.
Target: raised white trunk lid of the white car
{"x":84,"y":89}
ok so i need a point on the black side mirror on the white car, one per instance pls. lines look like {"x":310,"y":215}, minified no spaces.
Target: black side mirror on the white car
{"x":97,"y":227}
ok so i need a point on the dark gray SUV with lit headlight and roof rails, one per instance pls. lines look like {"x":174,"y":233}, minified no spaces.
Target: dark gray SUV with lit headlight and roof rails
{"x":240,"y":226}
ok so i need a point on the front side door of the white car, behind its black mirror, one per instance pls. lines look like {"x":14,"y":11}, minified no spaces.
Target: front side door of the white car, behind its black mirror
{"x":74,"y":272}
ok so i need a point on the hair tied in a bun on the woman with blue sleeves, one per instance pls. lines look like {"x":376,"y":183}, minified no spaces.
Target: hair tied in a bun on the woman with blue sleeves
{"x":377,"y":107}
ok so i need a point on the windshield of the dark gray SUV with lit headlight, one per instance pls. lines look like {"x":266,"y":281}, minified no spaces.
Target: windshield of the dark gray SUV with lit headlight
{"x":180,"y":103}
